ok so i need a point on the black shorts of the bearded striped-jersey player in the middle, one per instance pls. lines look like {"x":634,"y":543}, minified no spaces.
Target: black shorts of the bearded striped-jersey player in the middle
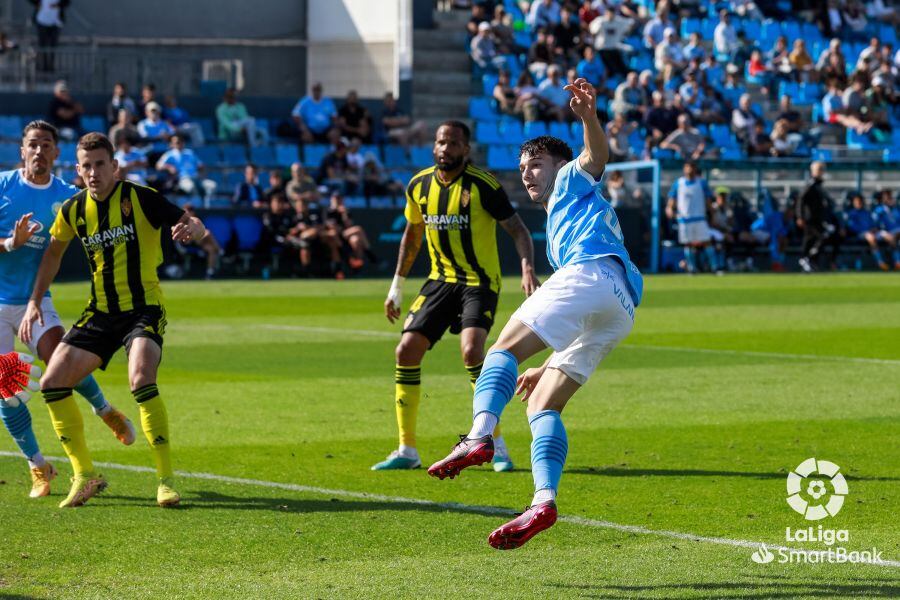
{"x":458,"y":306}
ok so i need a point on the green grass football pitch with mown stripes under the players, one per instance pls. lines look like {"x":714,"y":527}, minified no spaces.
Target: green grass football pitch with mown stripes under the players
{"x":280,"y":396}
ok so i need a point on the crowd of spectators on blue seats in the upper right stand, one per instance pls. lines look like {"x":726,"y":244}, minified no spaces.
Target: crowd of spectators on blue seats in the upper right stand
{"x":713,"y":71}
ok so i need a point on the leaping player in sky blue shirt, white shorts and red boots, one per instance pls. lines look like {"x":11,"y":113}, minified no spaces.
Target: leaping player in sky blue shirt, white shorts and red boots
{"x":582,"y":312}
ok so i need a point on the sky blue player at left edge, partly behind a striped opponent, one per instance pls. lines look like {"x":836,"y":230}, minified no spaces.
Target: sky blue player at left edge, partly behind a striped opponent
{"x":29,"y":200}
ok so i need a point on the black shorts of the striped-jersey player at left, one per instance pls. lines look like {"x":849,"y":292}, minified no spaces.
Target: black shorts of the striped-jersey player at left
{"x":104,"y":333}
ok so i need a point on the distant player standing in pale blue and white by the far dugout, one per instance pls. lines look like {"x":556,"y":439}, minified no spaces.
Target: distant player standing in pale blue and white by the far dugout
{"x":689,"y":202}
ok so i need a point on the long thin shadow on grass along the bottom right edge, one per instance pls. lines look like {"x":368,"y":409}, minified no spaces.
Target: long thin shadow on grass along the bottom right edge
{"x":756,"y":589}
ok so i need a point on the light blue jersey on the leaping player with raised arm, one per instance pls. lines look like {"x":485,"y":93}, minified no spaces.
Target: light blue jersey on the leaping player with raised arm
{"x":582,"y":226}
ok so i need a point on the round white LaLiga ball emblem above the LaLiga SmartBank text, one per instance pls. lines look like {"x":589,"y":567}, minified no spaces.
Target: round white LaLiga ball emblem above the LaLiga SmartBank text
{"x":813,"y":500}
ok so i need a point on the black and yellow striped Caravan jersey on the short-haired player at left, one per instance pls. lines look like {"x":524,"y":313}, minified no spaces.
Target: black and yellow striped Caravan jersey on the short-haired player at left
{"x":122,"y":239}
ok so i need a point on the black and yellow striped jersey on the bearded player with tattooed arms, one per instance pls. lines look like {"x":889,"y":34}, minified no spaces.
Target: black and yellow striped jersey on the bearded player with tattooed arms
{"x":460,"y":224}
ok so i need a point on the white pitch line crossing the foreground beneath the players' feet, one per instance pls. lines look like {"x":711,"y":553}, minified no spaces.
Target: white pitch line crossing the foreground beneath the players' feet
{"x":472,"y":508}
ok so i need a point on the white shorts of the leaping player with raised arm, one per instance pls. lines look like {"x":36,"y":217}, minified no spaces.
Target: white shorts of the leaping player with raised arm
{"x":583,"y":311}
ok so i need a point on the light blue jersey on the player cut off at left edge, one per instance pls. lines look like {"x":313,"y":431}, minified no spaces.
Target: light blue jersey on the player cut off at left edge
{"x":18,"y":269}
